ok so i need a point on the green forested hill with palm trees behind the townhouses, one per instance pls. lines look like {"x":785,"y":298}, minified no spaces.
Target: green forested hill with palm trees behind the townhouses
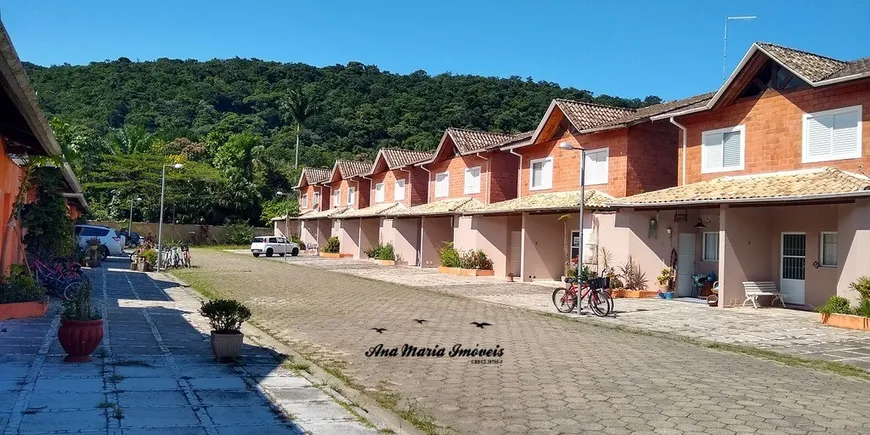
{"x":123,"y":108}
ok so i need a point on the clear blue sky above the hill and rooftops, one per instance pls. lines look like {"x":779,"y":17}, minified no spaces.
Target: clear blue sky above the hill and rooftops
{"x":626,"y":48}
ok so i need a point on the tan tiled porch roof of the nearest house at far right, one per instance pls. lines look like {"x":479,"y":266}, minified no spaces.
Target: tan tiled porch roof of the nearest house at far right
{"x":793,"y":184}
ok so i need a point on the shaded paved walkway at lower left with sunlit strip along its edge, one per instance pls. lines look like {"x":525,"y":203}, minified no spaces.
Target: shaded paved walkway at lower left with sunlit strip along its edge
{"x":153,"y":374}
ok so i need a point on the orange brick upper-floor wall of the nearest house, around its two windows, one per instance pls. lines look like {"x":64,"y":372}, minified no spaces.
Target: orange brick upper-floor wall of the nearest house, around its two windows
{"x":773,"y":126}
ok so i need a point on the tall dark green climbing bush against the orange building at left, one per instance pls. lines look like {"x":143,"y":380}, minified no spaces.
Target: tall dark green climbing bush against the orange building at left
{"x":50,"y":230}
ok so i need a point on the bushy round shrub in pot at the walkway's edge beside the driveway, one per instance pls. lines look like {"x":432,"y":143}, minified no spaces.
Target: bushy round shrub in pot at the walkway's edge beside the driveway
{"x":225,"y":317}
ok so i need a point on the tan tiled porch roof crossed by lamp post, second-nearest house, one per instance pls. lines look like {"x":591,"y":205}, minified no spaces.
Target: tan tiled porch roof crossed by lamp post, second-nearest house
{"x":547,"y":202}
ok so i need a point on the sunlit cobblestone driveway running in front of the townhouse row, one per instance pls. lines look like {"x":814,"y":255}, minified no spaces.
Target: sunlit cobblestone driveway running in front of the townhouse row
{"x":556,"y":377}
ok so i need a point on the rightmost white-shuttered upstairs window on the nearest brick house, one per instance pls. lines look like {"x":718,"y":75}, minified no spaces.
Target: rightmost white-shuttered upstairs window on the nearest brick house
{"x":832,"y":135}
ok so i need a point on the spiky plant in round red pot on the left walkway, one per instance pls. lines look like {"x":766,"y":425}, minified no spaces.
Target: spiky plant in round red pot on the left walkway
{"x":81,"y":328}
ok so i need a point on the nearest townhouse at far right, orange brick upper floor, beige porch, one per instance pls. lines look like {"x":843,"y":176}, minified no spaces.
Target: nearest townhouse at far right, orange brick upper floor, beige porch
{"x":772,"y":180}
